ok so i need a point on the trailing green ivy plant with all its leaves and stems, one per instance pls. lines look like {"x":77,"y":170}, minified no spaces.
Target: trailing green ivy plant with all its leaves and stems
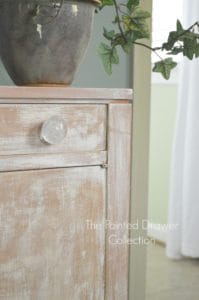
{"x":130,"y":25}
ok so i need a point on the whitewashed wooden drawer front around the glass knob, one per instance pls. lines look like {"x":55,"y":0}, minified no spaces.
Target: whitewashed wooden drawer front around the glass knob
{"x":20,"y":128}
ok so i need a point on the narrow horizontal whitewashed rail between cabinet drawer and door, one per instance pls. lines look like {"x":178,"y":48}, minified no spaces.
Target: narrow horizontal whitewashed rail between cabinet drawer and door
{"x":46,"y":161}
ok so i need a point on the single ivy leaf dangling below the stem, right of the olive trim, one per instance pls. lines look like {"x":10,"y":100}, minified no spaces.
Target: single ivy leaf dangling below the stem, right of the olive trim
{"x":164,"y":67}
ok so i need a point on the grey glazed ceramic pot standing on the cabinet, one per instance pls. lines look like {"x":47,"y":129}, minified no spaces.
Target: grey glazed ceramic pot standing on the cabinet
{"x":42,"y":42}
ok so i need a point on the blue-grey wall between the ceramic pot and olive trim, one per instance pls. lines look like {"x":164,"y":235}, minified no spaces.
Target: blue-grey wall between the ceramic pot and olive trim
{"x":91,"y":72}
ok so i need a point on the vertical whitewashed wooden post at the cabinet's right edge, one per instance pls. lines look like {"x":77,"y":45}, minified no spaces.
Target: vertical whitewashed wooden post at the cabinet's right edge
{"x":119,"y":166}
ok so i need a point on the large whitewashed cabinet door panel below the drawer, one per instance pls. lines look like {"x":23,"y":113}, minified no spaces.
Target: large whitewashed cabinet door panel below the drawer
{"x":47,"y":249}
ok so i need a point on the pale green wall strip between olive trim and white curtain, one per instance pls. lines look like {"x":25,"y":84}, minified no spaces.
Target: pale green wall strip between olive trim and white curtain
{"x":163,"y":116}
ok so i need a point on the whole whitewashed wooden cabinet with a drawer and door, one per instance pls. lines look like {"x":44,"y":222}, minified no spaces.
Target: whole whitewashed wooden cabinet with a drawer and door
{"x":61,"y":203}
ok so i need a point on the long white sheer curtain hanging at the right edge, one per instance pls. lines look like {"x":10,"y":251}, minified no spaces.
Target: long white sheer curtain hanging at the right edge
{"x":184,"y":196}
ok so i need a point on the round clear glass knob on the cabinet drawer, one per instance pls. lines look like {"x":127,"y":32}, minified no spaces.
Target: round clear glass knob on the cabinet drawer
{"x":53,"y":130}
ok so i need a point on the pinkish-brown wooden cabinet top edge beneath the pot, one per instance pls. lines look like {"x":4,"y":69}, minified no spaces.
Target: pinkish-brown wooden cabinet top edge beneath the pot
{"x":65,"y":93}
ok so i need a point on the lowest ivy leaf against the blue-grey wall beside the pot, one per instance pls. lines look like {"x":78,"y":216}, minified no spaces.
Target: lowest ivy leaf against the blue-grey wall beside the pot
{"x":109,"y":57}
